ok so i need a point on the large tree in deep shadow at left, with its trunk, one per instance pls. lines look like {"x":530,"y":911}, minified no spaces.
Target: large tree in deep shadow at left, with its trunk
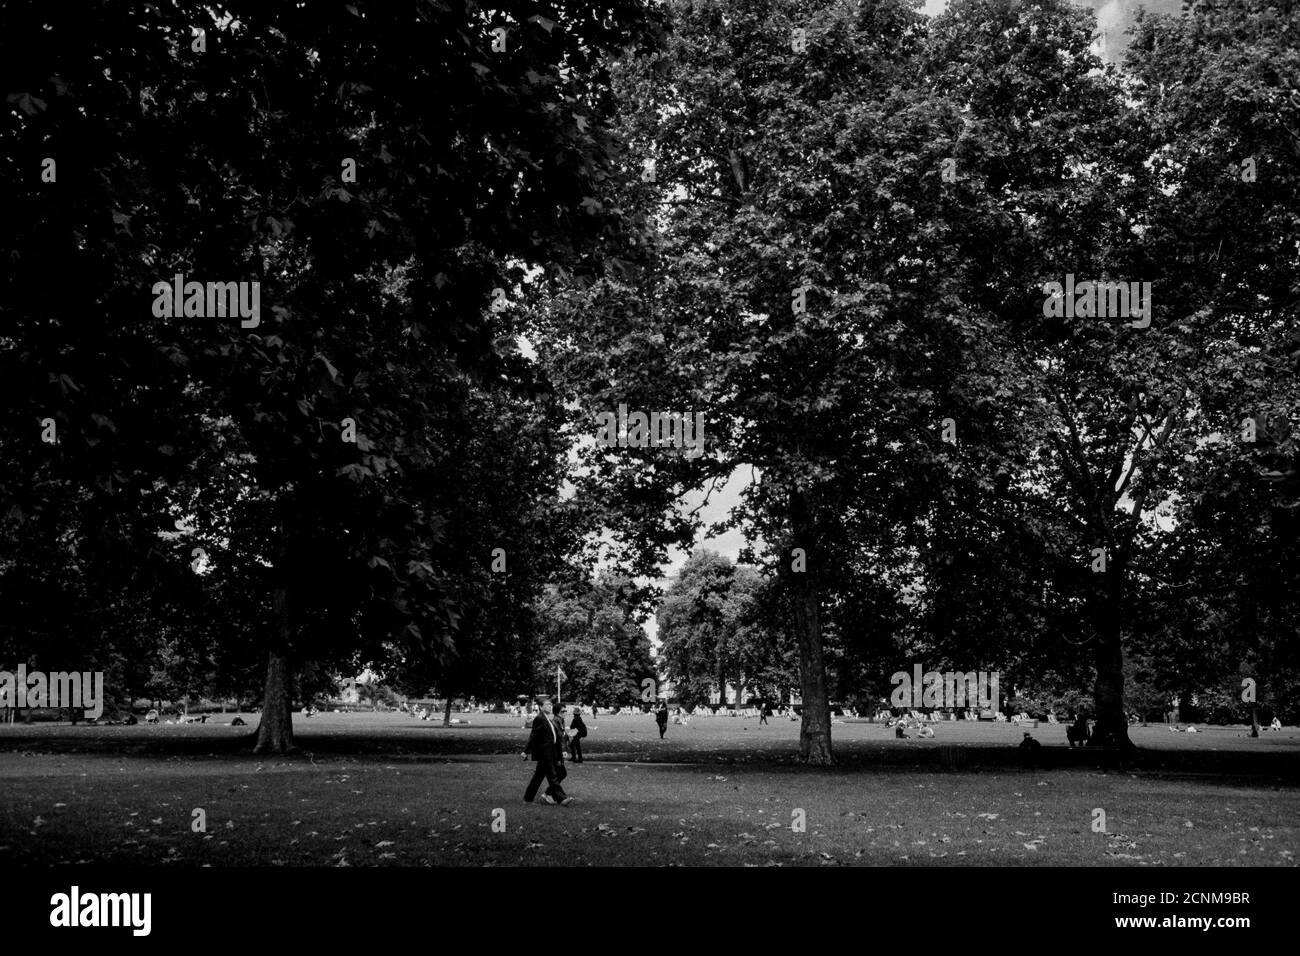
{"x":379,"y":168}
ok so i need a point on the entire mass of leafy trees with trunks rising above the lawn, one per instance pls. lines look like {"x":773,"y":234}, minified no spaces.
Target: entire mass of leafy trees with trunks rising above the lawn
{"x":834,"y":249}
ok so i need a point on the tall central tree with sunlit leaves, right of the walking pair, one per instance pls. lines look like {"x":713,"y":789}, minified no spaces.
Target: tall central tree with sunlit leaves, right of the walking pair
{"x":768,"y":296}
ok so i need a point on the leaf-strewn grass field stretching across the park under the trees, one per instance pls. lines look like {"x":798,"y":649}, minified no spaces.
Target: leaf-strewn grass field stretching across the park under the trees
{"x":389,"y":790}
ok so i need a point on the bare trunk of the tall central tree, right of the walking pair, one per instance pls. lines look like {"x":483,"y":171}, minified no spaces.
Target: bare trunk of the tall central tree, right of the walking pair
{"x":816,"y":728}
